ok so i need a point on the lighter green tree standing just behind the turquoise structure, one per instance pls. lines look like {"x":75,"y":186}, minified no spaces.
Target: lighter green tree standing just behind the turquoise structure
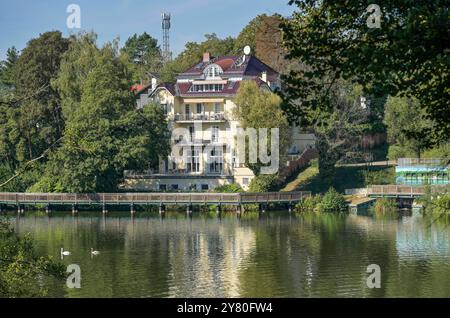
{"x":409,"y":129}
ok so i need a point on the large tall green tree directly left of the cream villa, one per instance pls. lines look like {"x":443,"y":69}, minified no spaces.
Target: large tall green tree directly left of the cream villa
{"x":105,"y":134}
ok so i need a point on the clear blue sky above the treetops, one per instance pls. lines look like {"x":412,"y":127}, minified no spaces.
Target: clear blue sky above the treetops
{"x":22,"y":20}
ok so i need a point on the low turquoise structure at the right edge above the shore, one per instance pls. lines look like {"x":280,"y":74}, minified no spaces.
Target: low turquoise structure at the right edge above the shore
{"x":418,"y":171}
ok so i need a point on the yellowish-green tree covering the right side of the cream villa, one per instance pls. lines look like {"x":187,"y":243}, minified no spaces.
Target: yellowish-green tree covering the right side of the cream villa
{"x":260,"y":108}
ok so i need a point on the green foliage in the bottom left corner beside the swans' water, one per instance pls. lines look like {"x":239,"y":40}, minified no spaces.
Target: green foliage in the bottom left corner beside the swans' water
{"x":22,"y":272}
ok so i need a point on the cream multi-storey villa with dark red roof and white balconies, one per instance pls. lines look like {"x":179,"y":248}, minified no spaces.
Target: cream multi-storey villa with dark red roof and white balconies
{"x":199,"y":109}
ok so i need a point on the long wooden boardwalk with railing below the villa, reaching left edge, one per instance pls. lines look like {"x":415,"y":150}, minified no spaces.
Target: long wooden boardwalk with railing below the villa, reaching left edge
{"x":117,"y":199}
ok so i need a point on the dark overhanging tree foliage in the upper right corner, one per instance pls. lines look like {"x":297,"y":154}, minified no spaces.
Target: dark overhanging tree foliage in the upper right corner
{"x":406,"y":56}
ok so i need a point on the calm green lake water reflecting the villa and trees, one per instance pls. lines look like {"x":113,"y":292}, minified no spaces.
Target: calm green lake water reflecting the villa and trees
{"x":270,"y":255}
